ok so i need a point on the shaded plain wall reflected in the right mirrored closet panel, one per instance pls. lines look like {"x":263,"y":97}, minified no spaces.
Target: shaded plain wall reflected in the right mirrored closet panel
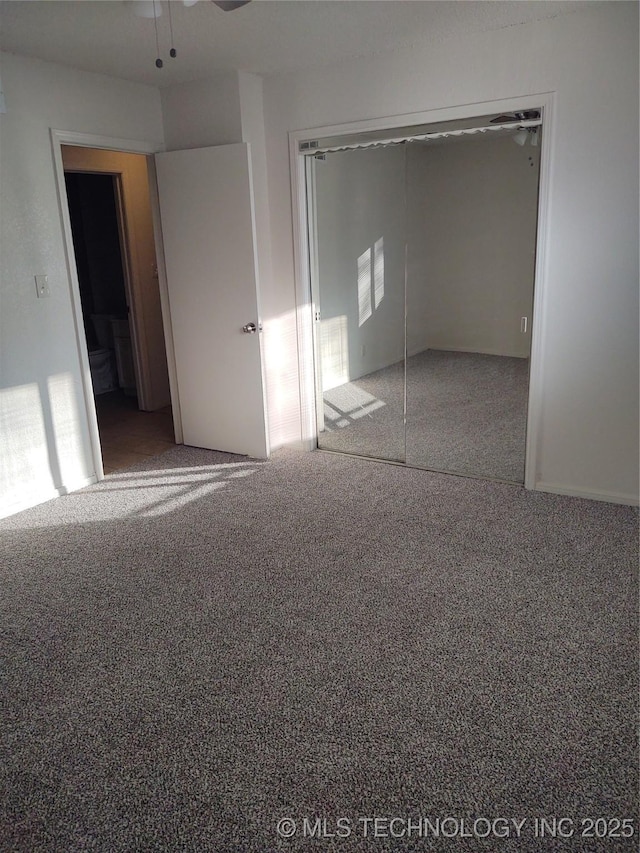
{"x":472,"y":205}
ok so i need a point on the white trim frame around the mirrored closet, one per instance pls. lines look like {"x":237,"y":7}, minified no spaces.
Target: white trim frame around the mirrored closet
{"x":306,"y":307}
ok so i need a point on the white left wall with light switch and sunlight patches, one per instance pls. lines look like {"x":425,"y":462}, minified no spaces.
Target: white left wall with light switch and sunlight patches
{"x":44,"y":441}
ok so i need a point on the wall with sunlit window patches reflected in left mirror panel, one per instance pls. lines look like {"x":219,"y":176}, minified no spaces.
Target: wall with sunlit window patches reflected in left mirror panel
{"x":360,"y":224}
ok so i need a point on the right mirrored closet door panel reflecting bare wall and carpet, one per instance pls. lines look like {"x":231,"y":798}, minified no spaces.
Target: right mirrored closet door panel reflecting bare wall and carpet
{"x":472,"y":213}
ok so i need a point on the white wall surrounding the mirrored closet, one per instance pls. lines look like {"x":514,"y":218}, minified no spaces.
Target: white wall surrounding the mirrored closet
{"x":588,"y":439}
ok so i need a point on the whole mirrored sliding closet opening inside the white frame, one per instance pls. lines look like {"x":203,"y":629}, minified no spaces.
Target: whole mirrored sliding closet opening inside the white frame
{"x":422,"y":255}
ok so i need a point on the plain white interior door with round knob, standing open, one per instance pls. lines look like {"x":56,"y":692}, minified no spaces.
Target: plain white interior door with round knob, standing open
{"x":206,"y":208}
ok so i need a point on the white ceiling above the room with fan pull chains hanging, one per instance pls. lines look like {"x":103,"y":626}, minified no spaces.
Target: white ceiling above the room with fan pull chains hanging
{"x":266,"y":36}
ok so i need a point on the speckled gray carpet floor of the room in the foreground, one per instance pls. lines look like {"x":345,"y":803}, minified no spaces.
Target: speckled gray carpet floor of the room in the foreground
{"x":198,"y":648}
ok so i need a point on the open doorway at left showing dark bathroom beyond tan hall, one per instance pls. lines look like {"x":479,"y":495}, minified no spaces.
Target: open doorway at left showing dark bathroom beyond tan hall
{"x":112,"y":233}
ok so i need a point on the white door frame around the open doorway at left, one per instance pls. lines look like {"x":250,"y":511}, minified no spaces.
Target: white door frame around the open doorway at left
{"x":128,"y":146}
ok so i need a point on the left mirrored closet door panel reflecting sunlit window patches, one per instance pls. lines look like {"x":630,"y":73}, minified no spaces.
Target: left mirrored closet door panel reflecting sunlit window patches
{"x":357,"y":221}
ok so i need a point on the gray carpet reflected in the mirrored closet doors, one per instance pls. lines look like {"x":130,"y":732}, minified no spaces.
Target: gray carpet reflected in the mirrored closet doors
{"x":466,"y":413}
